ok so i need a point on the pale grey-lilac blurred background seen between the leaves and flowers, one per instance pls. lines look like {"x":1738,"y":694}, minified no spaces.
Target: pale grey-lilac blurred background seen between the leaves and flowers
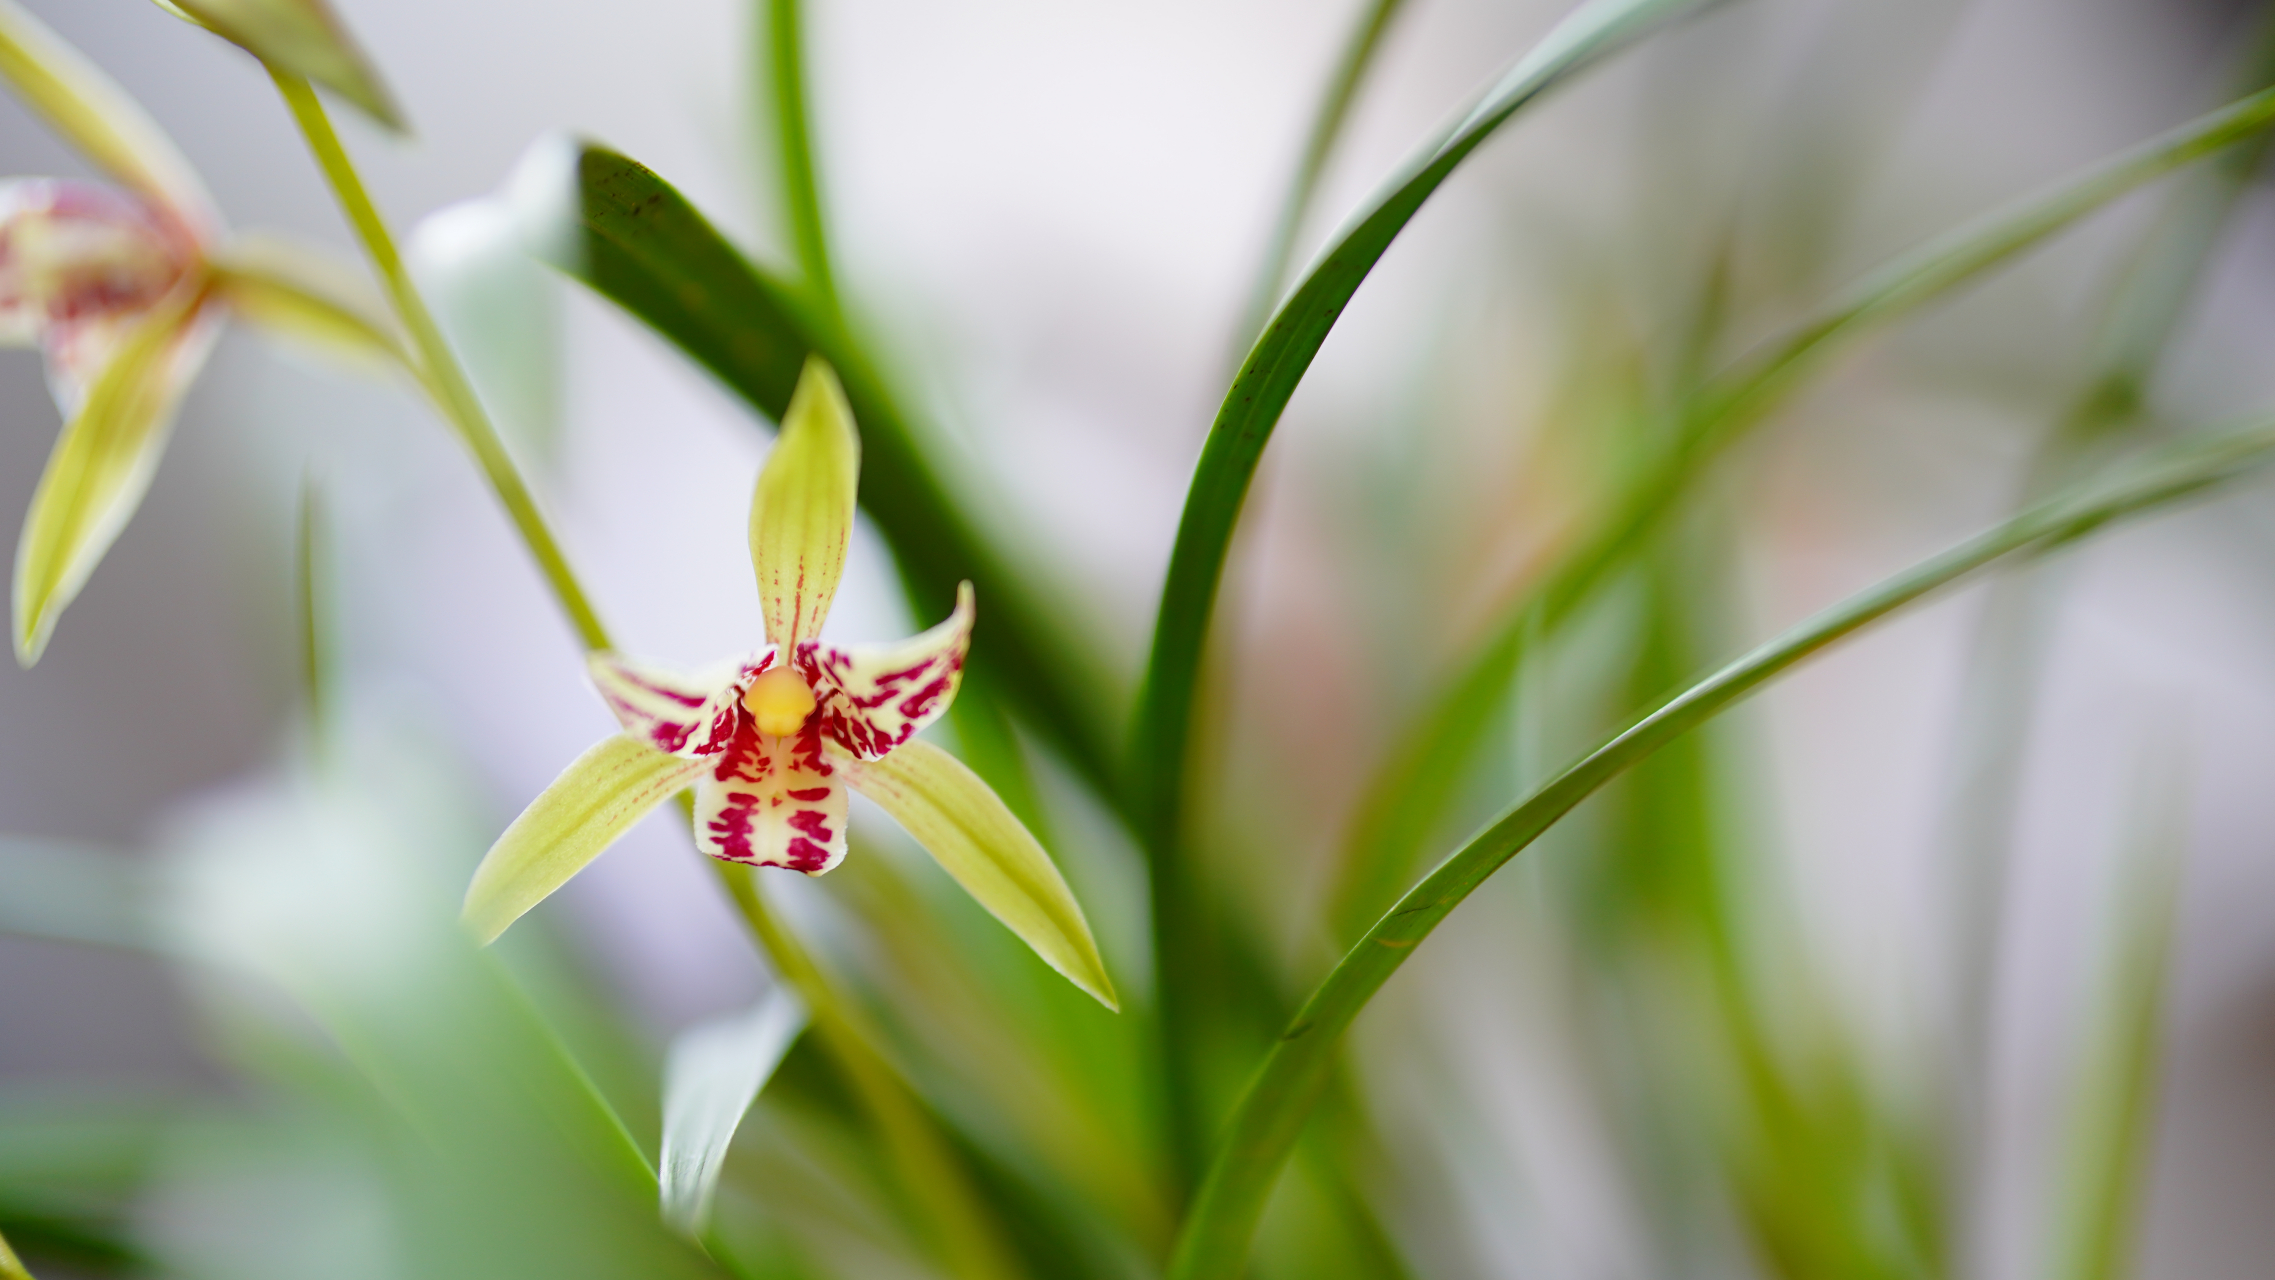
{"x":1052,"y":213}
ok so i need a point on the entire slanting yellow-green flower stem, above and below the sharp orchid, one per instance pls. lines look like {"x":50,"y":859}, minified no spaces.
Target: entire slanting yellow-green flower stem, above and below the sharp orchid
{"x":929,"y":1172}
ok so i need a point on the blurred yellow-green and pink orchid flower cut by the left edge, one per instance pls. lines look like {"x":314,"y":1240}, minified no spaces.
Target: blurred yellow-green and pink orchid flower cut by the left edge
{"x":122,"y":288}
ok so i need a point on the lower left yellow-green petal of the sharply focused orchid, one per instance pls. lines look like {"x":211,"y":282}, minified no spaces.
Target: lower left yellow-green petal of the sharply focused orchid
{"x":595,"y":801}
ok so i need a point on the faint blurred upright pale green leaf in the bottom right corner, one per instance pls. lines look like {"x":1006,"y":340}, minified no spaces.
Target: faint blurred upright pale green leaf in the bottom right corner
{"x":2112,"y":1133}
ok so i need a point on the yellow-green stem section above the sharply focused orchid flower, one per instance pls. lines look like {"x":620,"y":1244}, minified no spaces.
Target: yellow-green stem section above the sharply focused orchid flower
{"x":436,"y":363}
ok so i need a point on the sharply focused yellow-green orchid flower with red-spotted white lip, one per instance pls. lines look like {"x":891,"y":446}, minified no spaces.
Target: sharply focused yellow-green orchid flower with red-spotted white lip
{"x":775,"y":740}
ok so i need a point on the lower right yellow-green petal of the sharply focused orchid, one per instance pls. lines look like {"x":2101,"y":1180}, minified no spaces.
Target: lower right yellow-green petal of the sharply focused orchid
{"x":977,"y":840}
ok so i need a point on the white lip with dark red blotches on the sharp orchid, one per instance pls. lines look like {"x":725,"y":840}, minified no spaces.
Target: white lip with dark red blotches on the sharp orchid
{"x":775,"y":801}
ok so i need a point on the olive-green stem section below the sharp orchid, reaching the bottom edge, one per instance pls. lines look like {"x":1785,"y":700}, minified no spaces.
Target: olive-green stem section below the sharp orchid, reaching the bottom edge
{"x":929,"y":1172}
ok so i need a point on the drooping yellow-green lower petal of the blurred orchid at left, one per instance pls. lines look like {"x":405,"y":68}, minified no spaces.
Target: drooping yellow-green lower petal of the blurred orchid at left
{"x":104,"y":463}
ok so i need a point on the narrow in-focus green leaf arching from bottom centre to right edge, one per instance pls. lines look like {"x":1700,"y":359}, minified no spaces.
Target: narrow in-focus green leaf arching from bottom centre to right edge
{"x":1264,"y":1129}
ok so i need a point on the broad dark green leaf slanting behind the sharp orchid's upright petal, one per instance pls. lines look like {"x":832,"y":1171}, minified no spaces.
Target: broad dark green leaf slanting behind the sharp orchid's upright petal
{"x":645,"y":247}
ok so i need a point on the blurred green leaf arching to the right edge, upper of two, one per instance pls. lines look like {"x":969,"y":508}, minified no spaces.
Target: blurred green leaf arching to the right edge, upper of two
{"x":1409,"y":795}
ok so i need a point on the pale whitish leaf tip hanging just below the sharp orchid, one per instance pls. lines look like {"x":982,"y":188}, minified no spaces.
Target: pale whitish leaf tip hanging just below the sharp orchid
{"x":711,"y":1079}
